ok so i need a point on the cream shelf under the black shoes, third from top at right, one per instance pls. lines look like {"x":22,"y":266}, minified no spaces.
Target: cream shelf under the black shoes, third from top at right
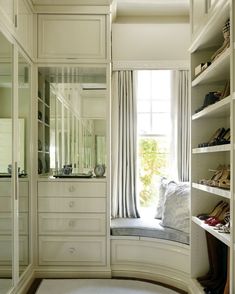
{"x":216,"y":110}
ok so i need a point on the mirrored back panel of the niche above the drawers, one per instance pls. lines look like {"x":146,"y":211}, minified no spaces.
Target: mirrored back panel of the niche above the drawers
{"x":77,"y":118}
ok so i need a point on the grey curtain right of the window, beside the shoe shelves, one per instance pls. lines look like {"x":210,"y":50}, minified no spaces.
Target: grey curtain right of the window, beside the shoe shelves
{"x":181,"y":113}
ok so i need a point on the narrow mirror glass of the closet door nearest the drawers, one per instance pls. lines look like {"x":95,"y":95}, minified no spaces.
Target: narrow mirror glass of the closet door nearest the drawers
{"x":23,"y":164}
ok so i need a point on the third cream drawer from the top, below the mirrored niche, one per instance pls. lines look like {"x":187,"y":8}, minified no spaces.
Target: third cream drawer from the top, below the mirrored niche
{"x":71,"y":224}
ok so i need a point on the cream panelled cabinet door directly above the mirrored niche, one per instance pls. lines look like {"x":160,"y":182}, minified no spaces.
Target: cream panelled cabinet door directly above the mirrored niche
{"x":71,"y":36}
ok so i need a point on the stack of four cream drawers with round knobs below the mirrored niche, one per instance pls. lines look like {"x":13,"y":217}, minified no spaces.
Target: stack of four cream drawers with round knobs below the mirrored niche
{"x":72,"y":223}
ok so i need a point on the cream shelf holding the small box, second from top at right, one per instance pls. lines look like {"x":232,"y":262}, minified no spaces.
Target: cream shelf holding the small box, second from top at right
{"x":217,"y":71}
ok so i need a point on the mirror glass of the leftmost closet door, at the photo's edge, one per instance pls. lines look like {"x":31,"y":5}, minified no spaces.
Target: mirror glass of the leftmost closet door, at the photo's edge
{"x":6,"y":213}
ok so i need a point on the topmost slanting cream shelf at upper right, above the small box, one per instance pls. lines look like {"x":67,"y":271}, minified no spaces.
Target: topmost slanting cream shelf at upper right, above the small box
{"x":207,"y":36}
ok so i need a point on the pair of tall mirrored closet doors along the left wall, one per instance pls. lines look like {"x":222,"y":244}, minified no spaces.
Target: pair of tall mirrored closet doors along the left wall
{"x":15,"y":92}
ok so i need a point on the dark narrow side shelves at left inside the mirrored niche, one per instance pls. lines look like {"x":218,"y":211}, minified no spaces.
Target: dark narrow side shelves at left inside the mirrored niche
{"x":43,"y":125}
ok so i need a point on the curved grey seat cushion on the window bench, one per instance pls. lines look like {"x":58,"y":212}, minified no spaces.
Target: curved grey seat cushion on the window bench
{"x":150,"y":228}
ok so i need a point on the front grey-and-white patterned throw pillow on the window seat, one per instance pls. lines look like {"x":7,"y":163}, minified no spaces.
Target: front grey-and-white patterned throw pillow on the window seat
{"x":175,"y":212}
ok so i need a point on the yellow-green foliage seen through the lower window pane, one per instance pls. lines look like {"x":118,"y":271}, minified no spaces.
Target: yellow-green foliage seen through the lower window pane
{"x":153,"y":162}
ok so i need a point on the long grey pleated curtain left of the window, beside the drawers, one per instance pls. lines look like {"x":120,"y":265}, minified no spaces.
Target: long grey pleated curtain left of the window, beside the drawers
{"x":124,"y":145}
